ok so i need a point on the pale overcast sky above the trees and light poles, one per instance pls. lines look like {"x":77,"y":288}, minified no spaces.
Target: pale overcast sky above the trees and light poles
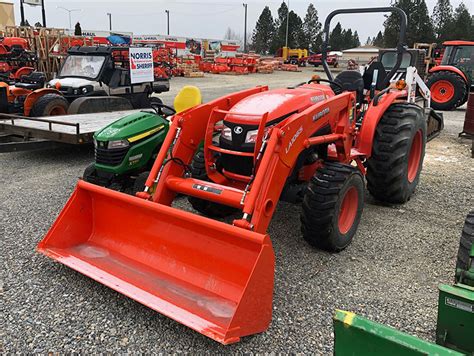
{"x":202,"y":19}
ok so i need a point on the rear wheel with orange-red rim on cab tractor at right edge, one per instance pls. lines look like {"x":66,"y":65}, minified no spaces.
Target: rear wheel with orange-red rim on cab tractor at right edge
{"x":448,"y":90}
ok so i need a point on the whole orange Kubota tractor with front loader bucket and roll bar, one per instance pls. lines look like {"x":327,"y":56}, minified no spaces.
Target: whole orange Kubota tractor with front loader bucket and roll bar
{"x":312,"y":143}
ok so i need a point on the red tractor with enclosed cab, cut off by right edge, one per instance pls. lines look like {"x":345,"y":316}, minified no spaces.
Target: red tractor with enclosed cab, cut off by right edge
{"x":452,"y":80}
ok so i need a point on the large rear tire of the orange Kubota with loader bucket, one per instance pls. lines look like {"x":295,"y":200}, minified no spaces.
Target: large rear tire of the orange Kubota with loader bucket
{"x":398,"y":150}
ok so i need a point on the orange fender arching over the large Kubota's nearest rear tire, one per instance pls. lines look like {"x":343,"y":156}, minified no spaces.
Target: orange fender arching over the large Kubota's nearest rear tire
{"x":372,"y":117}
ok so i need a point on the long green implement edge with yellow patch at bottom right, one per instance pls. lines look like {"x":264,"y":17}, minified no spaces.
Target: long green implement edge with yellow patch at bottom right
{"x":355,"y":335}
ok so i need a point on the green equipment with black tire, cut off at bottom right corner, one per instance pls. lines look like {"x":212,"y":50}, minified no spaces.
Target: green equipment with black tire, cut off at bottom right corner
{"x":355,"y":335}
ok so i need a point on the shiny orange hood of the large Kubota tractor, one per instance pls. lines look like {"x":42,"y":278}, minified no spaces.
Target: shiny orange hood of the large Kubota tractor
{"x":278,"y":103}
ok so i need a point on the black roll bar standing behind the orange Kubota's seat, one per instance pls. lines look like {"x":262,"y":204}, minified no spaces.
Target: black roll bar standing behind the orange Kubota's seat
{"x":401,"y":40}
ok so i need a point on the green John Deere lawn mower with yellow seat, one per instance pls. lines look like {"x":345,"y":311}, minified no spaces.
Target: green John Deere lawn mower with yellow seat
{"x":126,"y":149}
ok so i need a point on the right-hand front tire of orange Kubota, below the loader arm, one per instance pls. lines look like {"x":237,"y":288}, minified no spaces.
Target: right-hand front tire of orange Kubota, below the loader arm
{"x":332,"y":207}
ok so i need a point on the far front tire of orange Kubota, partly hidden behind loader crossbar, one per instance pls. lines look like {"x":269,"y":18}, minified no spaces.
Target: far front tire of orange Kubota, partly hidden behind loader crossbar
{"x":205,"y":207}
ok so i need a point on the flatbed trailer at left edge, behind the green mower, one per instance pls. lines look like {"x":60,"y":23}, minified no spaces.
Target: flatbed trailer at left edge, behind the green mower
{"x":19,"y":133}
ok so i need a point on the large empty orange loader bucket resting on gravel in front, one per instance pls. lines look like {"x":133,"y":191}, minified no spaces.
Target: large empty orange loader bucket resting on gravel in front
{"x":213,"y":277}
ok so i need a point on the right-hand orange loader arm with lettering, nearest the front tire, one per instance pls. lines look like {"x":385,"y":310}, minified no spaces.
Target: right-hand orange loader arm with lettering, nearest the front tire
{"x":284,"y":147}
